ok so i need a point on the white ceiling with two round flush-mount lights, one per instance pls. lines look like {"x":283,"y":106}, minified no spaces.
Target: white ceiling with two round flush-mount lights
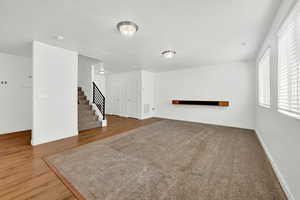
{"x":201,"y":31}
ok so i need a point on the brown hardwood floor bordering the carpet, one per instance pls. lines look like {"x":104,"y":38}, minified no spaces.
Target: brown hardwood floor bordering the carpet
{"x":25,"y":175}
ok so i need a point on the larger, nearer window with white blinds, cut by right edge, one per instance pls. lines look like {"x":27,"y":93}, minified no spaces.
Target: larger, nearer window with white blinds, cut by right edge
{"x":289,"y":64}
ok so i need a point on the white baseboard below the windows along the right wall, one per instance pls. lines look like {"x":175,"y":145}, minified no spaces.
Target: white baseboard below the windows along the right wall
{"x":279,"y":175}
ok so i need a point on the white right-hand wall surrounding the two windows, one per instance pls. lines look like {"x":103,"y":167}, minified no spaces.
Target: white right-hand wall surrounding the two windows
{"x":279,"y":133}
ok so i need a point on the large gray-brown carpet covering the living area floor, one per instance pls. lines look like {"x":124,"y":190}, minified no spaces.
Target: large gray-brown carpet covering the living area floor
{"x":171,"y":160}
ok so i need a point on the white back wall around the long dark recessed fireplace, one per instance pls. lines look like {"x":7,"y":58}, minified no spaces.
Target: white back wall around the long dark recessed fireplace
{"x":231,"y":82}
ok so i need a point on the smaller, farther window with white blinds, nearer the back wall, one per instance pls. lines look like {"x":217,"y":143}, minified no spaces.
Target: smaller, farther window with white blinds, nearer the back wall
{"x":264,"y":80}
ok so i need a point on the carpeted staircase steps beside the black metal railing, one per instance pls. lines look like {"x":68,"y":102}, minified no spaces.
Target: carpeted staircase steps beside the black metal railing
{"x":87,"y":118}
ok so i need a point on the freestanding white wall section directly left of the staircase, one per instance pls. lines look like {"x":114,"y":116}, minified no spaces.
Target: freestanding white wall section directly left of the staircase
{"x":54,"y":93}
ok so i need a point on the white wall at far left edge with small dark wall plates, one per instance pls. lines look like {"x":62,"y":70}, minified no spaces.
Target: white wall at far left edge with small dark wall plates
{"x":16,"y":95}
